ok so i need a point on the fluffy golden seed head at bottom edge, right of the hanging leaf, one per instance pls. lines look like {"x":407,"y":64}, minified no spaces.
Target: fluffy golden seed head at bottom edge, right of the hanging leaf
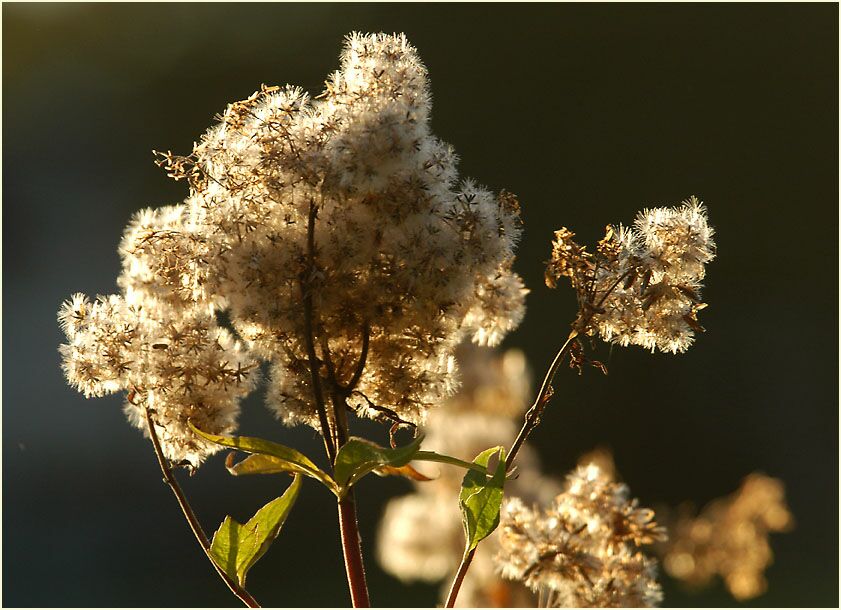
{"x":583,"y":550}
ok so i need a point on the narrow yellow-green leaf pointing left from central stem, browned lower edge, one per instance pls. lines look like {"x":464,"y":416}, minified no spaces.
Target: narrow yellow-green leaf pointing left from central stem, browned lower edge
{"x":268,"y":458}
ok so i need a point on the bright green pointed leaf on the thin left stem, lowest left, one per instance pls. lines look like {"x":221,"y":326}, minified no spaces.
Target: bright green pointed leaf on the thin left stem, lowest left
{"x":236,"y":547}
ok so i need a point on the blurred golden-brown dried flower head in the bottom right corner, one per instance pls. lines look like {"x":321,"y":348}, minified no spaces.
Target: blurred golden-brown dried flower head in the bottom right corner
{"x":730,"y":538}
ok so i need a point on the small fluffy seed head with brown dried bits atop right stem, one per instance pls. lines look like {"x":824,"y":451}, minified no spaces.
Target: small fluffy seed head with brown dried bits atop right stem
{"x":642,"y":285}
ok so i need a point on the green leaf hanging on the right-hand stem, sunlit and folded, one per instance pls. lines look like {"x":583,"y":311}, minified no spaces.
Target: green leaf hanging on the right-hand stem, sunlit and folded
{"x":481,"y":497}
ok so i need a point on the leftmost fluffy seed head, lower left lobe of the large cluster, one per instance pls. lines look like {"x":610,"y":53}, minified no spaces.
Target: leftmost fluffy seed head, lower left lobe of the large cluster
{"x":178,"y":362}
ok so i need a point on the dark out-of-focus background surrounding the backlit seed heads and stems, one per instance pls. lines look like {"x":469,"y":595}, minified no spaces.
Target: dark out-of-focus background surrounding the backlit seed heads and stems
{"x":587,"y":112}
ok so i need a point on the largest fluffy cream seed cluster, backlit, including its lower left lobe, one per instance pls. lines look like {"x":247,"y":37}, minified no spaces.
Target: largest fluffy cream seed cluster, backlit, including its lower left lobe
{"x":336,"y":237}
